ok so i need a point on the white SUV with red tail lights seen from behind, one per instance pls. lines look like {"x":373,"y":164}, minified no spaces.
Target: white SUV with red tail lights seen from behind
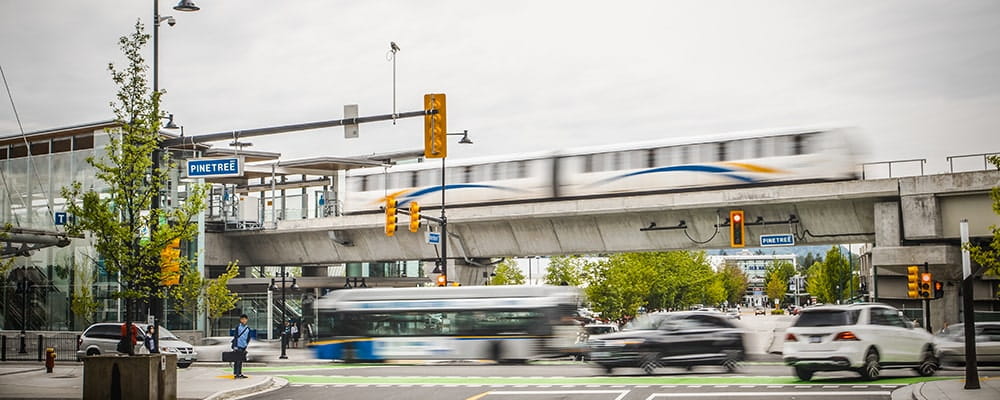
{"x":862,"y":337}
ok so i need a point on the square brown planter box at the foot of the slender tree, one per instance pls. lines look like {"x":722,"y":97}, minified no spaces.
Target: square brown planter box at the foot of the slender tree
{"x":142,"y":376}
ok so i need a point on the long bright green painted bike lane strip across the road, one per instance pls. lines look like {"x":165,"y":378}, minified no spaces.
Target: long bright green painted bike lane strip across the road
{"x":598,"y":380}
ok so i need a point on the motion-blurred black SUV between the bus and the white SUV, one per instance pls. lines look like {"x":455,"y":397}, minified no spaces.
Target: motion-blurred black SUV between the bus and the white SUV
{"x":681,"y":339}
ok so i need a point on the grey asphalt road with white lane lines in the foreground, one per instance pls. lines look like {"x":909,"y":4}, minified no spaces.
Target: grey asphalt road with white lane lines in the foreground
{"x":573,"y":381}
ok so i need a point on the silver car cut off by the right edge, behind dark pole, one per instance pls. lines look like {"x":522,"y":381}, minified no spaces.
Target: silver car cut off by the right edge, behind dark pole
{"x":950,"y":344}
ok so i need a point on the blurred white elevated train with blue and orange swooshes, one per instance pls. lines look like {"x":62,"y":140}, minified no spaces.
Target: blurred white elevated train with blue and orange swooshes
{"x":729,"y":160}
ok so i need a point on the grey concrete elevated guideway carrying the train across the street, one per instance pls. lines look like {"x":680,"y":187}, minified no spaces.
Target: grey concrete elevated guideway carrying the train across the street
{"x":893,"y":213}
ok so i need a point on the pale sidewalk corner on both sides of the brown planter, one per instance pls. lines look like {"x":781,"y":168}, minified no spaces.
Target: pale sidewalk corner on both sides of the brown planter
{"x":25,"y":381}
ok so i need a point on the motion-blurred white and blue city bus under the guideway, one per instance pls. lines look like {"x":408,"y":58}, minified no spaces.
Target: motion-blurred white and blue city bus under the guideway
{"x":500,"y":323}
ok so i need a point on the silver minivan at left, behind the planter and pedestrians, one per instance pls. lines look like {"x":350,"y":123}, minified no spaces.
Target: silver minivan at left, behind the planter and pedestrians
{"x":103,"y":338}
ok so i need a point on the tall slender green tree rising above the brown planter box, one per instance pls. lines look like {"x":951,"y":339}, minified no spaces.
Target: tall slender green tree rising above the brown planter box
{"x":128,"y":233}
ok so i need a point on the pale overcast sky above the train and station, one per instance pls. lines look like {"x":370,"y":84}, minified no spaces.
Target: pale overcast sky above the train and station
{"x":920,"y":78}
